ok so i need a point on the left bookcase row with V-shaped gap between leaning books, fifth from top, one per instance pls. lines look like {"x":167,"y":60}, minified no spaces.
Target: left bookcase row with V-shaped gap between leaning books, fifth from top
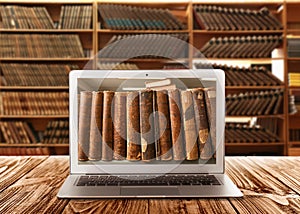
{"x":21,"y":132}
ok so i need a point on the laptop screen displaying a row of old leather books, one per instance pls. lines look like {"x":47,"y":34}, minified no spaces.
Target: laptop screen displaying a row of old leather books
{"x":146,"y":121}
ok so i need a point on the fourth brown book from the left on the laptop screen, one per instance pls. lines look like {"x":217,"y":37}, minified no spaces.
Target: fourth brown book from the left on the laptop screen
{"x":120,"y":125}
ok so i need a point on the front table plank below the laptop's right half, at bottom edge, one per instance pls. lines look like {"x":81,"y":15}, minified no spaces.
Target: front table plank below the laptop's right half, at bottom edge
{"x":190,"y":206}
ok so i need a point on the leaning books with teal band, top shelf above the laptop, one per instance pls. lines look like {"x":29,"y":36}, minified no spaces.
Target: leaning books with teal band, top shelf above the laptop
{"x":127,"y":17}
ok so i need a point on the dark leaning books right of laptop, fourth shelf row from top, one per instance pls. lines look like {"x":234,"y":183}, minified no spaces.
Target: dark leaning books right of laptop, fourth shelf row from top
{"x":255,"y":103}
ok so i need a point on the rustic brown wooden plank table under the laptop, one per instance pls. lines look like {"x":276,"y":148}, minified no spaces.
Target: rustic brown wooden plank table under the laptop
{"x":269,"y":184}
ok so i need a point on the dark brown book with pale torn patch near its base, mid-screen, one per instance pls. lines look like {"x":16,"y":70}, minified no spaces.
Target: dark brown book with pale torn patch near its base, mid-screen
{"x":147,"y":125}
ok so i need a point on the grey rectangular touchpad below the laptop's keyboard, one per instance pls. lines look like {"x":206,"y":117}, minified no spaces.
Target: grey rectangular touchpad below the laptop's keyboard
{"x":159,"y":191}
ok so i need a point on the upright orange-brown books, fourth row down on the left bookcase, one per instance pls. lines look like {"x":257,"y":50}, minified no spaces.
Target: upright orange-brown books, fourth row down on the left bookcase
{"x":34,"y":103}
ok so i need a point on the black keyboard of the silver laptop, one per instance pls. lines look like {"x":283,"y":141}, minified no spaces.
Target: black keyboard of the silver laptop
{"x":168,"y":180}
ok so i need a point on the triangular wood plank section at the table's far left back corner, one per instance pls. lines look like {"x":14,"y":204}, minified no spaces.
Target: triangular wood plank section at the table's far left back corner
{"x":13,"y":168}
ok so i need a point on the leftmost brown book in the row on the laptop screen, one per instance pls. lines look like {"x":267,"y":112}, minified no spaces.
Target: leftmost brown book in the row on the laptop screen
{"x":84,"y":124}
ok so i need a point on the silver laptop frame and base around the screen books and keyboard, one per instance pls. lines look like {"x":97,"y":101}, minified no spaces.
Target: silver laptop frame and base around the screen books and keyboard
{"x":122,"y":80}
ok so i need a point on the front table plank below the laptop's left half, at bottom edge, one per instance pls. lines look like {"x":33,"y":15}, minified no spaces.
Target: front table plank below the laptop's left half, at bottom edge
{"x":107,"y":206}
